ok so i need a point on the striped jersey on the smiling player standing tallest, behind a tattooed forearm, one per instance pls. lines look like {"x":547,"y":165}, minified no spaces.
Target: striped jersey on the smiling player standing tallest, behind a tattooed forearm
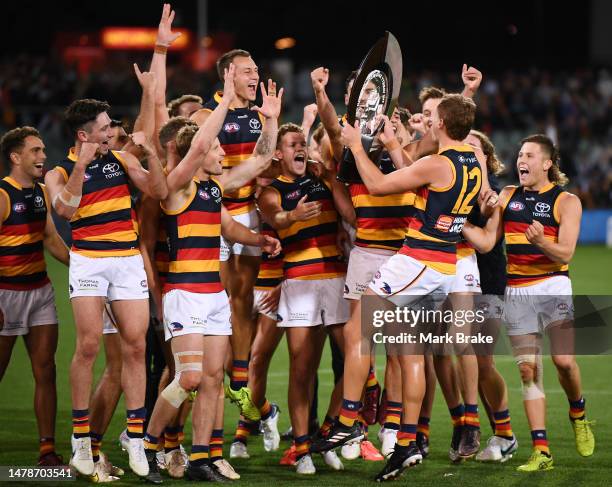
{"x":241,"y":129}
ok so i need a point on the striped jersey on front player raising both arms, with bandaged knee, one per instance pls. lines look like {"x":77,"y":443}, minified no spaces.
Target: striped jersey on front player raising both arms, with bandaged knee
{"x":194,"y":239}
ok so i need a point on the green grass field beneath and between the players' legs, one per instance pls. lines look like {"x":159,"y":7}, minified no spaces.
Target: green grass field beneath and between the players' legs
{"x":591,"y":275}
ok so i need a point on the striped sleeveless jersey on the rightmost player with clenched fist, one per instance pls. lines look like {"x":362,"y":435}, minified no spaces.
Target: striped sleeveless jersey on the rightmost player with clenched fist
{"x":527,"y":264}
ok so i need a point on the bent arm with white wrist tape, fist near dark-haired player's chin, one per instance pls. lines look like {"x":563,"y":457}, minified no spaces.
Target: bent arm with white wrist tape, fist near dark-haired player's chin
{"x":66,"y":196}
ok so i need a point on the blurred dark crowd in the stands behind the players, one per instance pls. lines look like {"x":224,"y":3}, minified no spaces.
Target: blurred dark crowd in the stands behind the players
{"x":574,"y":108}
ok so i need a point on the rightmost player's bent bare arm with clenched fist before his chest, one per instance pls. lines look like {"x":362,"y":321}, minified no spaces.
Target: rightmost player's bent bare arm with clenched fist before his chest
{"x":569,"y":215}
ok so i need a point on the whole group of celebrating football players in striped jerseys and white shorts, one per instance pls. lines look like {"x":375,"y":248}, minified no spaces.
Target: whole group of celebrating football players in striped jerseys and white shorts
{"x":219,"y":231}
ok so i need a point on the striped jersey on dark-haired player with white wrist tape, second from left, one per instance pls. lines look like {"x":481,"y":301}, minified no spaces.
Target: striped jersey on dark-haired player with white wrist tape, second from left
{"x":105,"y":223}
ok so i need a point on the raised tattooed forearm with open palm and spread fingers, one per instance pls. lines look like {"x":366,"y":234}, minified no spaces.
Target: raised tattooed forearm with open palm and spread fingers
{"x":246,"y":171}
